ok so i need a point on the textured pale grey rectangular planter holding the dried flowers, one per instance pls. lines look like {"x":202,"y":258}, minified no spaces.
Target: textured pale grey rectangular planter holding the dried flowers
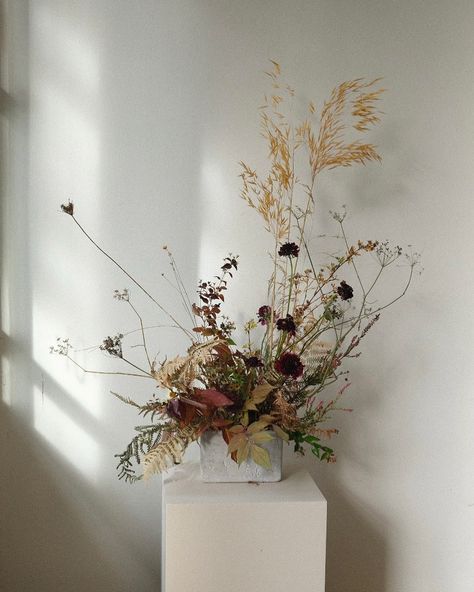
{"x":218,"y":467}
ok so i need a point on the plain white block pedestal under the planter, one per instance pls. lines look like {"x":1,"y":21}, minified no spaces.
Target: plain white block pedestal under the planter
{"x":242,"y":537}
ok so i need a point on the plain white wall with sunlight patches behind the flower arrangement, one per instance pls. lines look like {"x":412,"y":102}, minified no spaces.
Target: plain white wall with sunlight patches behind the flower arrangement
{"x":139,"y":112}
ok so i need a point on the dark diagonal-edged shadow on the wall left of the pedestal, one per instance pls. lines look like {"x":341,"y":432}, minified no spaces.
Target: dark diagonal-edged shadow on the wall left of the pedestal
{"x":50,"y":519}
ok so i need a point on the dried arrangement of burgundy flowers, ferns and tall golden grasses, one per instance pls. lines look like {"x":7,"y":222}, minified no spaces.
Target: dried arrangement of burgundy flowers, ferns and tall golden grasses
{"x":272,"y":385}
